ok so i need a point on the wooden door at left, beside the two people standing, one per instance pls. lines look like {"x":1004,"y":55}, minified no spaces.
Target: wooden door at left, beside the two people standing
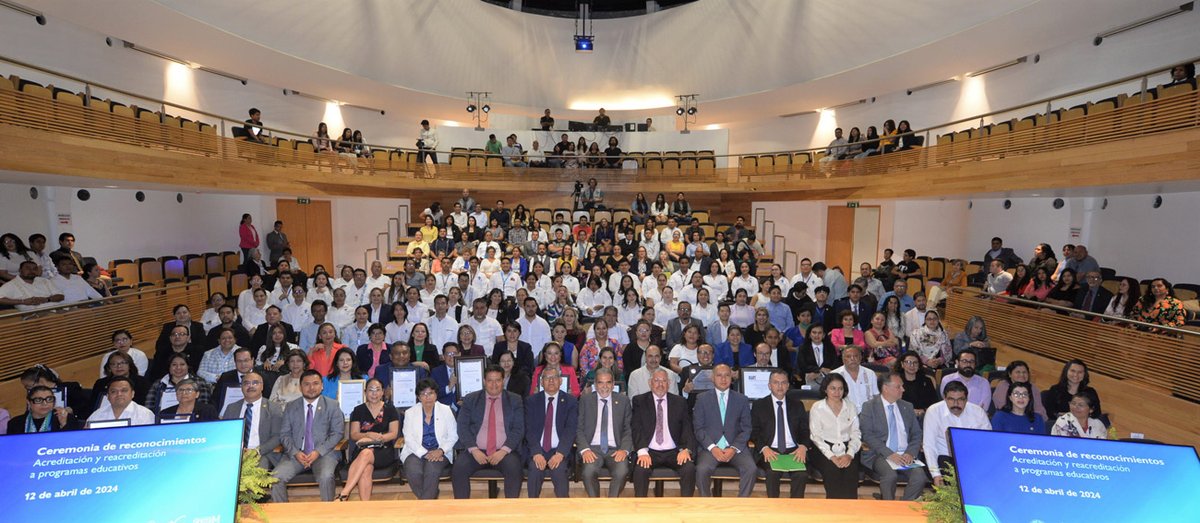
{"x":310,"y":230}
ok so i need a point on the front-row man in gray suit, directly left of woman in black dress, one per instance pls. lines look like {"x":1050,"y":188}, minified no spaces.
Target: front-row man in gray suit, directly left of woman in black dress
{"x":313,"y":426}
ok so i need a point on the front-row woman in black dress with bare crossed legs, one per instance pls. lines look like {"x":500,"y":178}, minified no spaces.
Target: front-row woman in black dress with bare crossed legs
{"x":375,"y":426}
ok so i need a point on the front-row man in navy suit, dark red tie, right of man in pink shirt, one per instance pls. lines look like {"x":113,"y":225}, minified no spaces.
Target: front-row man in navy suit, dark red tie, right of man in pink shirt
{"x":551,"y":424}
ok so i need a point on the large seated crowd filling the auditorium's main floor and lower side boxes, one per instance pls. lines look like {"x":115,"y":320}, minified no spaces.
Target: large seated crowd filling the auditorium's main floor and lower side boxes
{"x":616,"y":353}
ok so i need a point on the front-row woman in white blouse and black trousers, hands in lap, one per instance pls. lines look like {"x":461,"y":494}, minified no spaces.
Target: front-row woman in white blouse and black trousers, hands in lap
{"x":833,"y":425}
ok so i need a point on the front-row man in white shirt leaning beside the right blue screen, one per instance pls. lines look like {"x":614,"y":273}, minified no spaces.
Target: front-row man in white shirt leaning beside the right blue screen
{"x":952,"y":412}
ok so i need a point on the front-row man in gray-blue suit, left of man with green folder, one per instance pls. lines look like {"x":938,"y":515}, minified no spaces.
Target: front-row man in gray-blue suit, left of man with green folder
{"x":723,"y":428}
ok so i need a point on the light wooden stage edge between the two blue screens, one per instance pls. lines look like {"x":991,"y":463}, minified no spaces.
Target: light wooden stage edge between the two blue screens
{"x":602,"y":510}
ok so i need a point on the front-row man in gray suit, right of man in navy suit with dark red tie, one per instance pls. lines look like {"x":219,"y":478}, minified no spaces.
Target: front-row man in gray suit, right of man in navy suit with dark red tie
{"x":605,"y":438}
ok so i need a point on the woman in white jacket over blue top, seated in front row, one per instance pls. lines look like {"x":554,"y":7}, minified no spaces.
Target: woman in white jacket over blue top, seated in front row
{"x":430,"y":435}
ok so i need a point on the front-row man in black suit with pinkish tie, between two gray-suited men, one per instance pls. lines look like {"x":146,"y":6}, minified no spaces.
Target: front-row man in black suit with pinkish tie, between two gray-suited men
{"x":663,"y":436}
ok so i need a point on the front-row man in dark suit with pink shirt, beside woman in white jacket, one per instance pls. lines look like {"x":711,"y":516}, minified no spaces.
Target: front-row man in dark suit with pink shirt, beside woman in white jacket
{"x":491,"y":428}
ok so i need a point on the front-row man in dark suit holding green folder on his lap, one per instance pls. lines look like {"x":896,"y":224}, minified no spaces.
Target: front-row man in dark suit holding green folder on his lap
{"x":781,"y":428}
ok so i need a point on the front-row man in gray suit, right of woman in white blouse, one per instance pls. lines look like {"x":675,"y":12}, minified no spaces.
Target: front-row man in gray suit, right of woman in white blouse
{"x":892,"y":437}
